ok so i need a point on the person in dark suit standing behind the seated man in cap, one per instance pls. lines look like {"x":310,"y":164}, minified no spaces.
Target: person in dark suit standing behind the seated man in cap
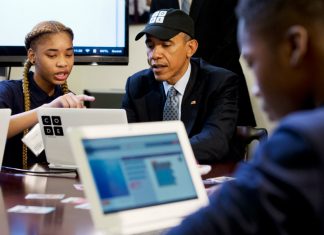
{"x":215,"y":30}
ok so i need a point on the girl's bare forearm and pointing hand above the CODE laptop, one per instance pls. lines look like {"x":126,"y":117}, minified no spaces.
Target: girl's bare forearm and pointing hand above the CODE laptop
{"x":22,"y":121}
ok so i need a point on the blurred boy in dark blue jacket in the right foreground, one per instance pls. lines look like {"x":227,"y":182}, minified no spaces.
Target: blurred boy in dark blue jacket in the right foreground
{"x":281,"y":191}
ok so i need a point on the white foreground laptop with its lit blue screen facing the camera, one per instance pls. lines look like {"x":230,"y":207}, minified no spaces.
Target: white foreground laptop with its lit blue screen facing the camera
{"x":139,"y":177}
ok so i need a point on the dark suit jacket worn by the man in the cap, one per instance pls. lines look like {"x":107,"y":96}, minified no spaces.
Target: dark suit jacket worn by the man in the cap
{"x":209,"y":108}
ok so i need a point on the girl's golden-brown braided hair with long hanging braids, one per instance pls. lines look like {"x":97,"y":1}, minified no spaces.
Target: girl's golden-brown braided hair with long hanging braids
{"x":41,"y":29}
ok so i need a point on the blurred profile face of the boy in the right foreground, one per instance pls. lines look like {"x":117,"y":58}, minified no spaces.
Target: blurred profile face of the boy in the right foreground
{"x":282,"y":87}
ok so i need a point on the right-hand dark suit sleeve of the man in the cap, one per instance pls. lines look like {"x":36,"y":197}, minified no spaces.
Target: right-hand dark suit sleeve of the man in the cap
{"x":212,"y":143}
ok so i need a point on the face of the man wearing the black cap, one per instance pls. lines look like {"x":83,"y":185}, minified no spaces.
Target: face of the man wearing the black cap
{"x":169,"y":59}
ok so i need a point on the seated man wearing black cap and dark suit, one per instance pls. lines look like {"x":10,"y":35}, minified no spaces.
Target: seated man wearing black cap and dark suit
{"x":208,"y":95}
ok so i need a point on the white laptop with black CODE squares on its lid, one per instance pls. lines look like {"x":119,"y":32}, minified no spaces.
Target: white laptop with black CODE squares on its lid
{"x":55,"y":121}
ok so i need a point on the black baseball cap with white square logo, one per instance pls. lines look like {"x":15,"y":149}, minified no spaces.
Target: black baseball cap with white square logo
{"x":167,"y":23}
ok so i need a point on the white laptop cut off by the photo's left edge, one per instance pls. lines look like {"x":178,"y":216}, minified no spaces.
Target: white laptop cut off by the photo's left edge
{"x":4,"y":124}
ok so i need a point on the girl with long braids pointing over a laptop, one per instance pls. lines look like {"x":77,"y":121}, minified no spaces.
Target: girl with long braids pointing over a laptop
{"x":50,"y":49}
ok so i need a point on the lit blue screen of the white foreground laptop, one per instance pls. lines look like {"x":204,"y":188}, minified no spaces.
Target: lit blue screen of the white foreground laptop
{"x":139,"y":171}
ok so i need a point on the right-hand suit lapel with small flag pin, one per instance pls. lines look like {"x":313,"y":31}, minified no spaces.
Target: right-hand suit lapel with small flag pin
{"x":189,"y":106}
